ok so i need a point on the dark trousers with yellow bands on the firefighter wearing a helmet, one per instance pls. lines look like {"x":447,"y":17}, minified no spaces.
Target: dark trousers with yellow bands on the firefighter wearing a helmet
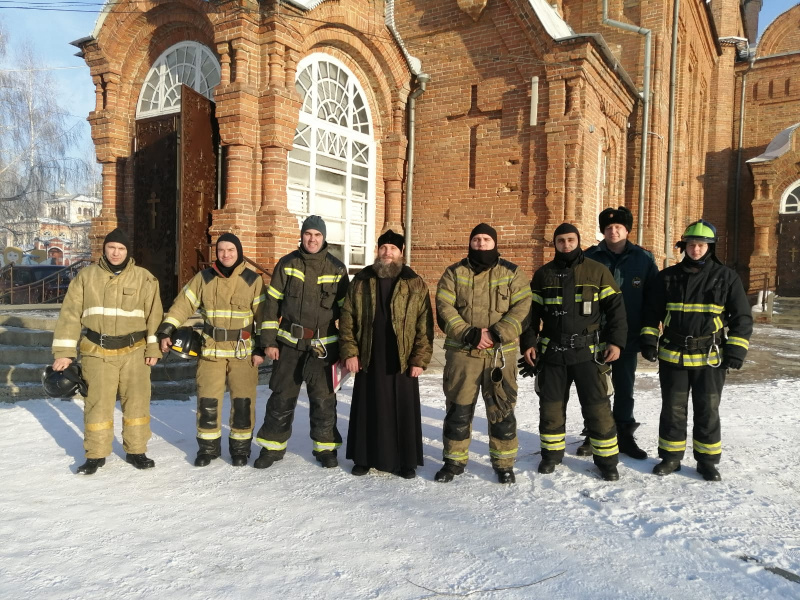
{"x":705,"y":384}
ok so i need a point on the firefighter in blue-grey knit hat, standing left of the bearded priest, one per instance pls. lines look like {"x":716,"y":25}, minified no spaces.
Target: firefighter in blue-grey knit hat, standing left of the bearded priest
{"x":304,"y":300}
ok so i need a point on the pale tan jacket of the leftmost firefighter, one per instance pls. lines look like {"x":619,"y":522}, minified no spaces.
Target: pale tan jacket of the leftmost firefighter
{"x":112,"y":305}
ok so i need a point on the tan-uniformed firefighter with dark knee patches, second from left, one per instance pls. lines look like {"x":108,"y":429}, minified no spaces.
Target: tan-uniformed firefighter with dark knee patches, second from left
{"x":230,"y":299}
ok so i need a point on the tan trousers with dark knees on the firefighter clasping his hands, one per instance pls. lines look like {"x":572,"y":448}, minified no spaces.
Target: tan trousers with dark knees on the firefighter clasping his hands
{"x":464,"y":376}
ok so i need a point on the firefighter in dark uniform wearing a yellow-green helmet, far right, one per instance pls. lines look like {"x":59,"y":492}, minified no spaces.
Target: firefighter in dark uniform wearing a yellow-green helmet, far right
{"x":695,"y":301}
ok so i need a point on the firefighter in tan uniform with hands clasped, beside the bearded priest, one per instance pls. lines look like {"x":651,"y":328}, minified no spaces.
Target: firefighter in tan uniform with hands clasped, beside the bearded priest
{"x":482,"y":302}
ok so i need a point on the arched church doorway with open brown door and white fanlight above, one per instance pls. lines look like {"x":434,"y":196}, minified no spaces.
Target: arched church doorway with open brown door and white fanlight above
{"x":175,"y":174}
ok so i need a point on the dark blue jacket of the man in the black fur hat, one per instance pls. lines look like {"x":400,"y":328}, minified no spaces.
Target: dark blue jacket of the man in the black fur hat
{"x":634,"y":270}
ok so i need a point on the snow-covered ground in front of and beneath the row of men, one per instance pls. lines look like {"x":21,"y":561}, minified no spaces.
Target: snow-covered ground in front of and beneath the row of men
{"x":299,"y":531}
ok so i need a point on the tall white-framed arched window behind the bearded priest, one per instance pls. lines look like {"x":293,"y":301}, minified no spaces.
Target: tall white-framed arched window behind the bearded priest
{"x":332,"y":163}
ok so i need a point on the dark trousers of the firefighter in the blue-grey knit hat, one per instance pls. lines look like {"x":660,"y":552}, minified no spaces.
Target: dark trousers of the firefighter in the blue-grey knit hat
{"x":288,"y":374}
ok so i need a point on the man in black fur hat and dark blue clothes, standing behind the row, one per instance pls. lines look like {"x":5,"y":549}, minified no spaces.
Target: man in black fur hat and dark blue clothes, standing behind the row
{"x":634,"y":269}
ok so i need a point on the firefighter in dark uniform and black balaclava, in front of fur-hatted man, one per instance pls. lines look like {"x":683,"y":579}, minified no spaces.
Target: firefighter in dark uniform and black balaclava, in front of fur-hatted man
{"x":565,"y":341}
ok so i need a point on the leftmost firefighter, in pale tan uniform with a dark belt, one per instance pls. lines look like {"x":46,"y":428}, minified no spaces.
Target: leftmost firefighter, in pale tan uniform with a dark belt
{"x":119,"y":305}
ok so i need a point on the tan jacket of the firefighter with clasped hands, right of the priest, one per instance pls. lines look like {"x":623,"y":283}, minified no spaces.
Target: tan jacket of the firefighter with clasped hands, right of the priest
{"x":497,"y":299}
